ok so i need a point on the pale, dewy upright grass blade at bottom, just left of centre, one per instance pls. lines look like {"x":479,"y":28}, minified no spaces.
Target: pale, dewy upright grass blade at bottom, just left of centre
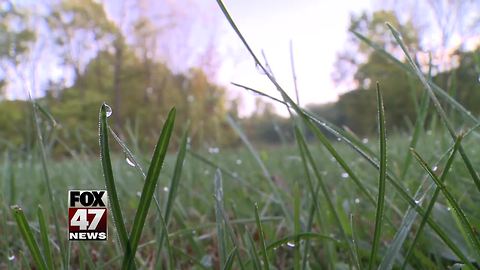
{"x":221,"y":238}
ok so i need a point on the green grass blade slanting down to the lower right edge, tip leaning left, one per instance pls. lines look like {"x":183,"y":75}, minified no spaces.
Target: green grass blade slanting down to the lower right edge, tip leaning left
{"x":467,"y":226}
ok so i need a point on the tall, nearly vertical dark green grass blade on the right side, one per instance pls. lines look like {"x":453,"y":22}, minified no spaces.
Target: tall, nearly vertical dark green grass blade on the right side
{"x":381,"y":180}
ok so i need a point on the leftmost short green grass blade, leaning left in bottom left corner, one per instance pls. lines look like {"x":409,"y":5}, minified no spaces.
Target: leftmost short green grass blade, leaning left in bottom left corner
{"x":28,"y":237}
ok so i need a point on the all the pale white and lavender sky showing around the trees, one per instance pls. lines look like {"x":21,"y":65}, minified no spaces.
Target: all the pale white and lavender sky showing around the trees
{"x":316,"y":28}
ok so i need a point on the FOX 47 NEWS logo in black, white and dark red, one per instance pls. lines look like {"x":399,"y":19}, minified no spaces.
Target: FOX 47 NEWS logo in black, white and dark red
{"x":87,"y":214}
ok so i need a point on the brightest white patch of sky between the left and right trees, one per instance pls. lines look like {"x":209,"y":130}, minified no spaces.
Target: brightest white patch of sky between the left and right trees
{"x":318,"y":30}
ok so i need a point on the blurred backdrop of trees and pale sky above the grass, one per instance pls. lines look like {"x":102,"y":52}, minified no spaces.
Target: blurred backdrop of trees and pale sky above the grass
{"x":143,"y":57}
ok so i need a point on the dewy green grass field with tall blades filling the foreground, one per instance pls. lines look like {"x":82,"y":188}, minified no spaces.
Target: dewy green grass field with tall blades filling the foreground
{"x":402,"y":200}
